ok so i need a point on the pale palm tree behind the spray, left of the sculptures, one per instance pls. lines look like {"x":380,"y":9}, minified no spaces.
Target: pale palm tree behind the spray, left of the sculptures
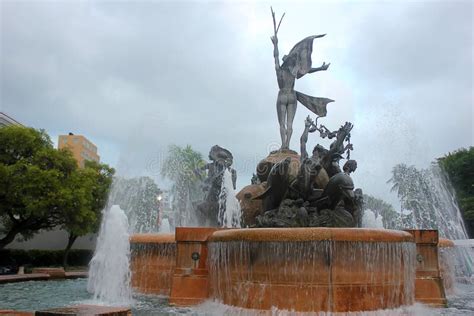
{"x":183,"y":167}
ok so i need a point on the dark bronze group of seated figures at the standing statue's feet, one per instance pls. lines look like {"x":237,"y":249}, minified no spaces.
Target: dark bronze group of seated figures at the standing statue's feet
{"x":322,"y":194}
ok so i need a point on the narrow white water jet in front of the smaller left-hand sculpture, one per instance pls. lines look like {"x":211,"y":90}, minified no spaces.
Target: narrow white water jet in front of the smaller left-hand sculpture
{"x":229,"y":206}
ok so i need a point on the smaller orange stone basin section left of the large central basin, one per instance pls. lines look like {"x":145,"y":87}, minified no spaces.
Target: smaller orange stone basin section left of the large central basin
{"x":153,"y":258}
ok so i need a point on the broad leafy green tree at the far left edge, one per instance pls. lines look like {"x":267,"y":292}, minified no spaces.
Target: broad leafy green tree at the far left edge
{"x":36,"y":183}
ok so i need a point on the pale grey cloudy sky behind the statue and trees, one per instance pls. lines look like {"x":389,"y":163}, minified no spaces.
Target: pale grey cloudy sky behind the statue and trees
{"x":134,"y":77}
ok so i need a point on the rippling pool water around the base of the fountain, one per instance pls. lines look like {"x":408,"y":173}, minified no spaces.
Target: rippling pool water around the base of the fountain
{"x":37,"y":295}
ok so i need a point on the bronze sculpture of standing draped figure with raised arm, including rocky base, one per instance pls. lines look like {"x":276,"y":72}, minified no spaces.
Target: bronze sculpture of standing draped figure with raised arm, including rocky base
{"x":291,"y":190}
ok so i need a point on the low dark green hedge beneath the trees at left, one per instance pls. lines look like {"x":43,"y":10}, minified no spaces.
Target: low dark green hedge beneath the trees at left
{"x":44,"y":258}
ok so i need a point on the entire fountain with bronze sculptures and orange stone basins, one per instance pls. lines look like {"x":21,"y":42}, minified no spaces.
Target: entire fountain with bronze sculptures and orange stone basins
{"x":302,"y":247}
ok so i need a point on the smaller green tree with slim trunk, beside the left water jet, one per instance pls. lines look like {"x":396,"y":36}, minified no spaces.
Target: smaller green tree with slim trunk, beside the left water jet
{"x":91,"y":188}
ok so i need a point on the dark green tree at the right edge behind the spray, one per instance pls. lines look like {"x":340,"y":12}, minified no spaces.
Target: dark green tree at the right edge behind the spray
{"x":459,"y":166}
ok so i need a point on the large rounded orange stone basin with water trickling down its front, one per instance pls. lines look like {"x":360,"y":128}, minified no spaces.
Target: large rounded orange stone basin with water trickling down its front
{"x":312,"y":269}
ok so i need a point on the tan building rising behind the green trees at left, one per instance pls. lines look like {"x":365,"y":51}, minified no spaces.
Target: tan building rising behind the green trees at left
{"x":82,"y":149}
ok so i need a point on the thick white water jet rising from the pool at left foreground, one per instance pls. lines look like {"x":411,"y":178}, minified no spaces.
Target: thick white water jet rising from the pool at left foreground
{"x":109,"y":269}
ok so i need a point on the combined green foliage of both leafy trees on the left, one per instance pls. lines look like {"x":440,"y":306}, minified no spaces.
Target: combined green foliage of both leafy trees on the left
{"x":42,"y":188}
